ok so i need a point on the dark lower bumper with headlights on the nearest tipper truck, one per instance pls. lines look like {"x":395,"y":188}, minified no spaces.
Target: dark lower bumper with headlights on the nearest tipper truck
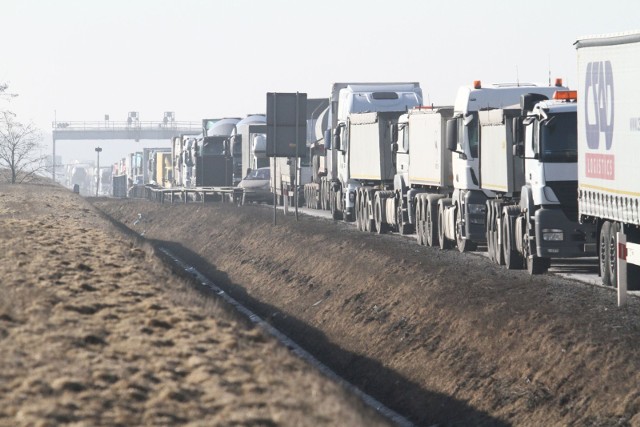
{"x":559,"y":237}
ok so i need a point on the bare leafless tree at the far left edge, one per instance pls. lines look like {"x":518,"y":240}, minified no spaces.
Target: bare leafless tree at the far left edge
{"x":20,"y":149}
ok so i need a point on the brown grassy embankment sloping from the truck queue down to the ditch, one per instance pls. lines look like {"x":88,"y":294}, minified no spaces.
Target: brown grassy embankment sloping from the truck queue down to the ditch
{"x":440,"y":337}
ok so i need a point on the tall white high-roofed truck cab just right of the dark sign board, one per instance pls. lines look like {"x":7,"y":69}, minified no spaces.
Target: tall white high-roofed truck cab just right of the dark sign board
{"x":327,"y":188}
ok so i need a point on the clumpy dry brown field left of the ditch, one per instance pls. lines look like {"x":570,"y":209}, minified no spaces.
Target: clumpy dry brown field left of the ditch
{"x":96,"y":330}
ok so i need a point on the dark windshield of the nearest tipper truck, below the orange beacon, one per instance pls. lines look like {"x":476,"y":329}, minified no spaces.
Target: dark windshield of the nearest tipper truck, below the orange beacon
{"x":559,"y":139}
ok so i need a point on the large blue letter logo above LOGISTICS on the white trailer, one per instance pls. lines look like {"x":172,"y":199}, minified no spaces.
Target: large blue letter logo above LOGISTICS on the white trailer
{"x":599,"y":102}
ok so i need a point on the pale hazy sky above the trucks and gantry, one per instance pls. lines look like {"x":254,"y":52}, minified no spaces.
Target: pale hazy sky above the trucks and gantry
{"x":81,"y":59}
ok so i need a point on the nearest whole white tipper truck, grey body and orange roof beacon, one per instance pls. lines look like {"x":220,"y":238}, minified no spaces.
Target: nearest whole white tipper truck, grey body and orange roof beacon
{"x":528,"y":159}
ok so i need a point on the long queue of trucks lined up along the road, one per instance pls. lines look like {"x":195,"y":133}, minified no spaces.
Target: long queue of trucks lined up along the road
{"x":531,"y":172}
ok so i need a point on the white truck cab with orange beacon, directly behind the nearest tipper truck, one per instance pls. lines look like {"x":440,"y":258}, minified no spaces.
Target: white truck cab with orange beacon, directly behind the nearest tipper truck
{"x":461,"y":215}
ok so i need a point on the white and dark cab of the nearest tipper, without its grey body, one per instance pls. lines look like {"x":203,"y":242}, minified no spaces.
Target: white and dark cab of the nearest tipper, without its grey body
{"x":546,"y":139}
